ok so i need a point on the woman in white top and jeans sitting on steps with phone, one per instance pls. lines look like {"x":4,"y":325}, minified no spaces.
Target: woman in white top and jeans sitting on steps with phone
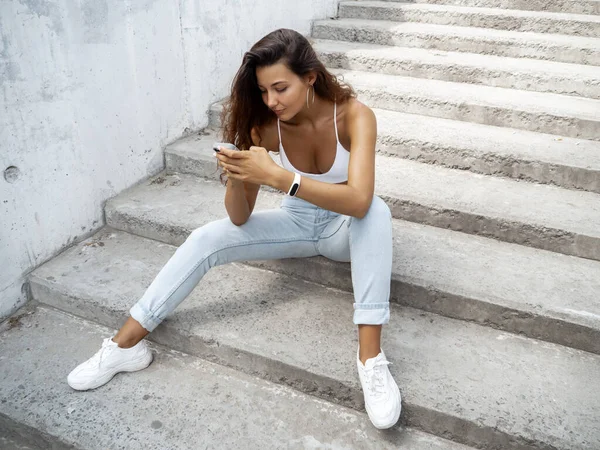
{"x":282,"y":94}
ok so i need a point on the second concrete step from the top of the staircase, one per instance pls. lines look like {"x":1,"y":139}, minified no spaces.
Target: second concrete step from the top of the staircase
{"x":466,"y":16}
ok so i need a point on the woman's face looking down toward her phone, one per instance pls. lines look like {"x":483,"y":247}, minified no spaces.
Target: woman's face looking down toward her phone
{"x":282,"y":90}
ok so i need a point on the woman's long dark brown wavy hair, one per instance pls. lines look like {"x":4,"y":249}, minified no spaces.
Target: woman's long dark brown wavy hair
{"x":245,"y":109}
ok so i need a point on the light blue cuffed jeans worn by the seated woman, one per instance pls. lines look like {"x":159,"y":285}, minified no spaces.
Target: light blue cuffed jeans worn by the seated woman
{"x":298,"y":229}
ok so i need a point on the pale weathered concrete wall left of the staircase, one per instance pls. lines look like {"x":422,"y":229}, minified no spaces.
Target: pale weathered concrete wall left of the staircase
{"x":91,"y":92}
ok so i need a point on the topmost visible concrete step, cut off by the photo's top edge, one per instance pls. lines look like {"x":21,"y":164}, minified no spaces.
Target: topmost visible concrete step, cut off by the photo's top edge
{"x":566,"y":6}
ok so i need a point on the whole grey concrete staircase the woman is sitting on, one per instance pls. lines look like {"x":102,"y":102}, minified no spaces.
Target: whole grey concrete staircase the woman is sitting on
{"x":489,"y":157}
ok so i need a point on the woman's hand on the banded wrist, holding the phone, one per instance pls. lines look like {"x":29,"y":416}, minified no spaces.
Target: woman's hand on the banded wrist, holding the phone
{"x":252,"y":166}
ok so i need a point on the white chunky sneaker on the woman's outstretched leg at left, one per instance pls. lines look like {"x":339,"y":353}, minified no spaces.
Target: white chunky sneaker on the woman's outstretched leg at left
{"x":107,"y":362}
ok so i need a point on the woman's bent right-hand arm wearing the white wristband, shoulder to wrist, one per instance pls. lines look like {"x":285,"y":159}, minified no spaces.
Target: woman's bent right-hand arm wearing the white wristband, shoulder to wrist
{"x":353,"y":199}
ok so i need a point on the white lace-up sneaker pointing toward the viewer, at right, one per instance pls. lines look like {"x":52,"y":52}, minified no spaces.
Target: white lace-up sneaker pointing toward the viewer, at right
{"x":382,"y":396}
